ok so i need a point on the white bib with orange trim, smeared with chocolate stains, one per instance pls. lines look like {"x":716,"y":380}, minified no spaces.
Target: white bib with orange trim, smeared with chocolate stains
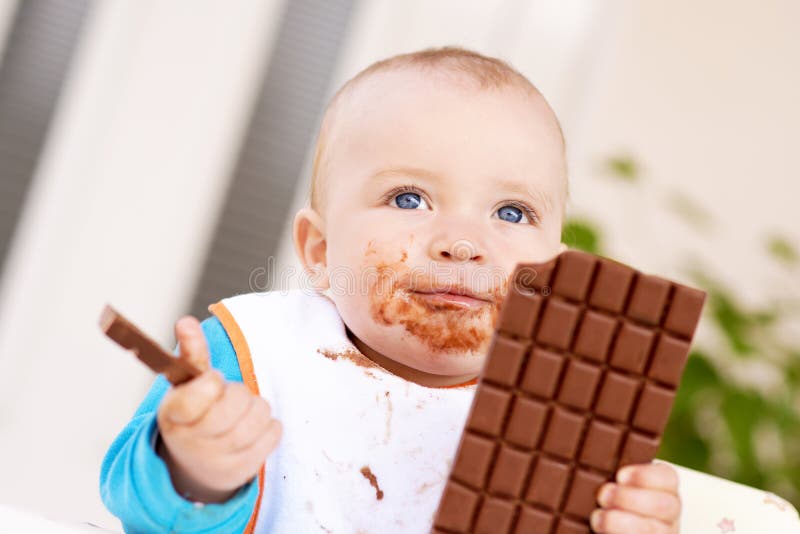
{"x":362,"y":449}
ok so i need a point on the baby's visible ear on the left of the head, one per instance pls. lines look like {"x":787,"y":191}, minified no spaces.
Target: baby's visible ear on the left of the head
{"x":310,"y":245}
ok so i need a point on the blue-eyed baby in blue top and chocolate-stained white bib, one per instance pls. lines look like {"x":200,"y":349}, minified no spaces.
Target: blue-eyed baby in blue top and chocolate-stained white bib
{"x":435,"y":173}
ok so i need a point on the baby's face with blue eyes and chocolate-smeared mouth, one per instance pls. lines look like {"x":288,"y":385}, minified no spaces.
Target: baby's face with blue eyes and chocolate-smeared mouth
{"x":435,"y":192}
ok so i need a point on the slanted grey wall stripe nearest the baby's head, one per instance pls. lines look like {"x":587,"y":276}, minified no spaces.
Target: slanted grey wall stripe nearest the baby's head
{"x":282,"y":127}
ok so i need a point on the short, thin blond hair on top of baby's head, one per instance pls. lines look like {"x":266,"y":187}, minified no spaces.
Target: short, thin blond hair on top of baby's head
{"x":486,"y":72}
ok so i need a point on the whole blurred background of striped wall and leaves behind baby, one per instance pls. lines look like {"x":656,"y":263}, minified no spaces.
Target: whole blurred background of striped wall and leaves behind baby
{"x":152,"y":154}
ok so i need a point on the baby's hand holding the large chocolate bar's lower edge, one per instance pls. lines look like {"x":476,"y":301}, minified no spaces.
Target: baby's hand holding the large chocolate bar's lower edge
{"x":644,"y":499}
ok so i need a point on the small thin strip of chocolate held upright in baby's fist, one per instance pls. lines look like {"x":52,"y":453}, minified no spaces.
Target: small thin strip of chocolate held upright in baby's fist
{"x":148,"y":351}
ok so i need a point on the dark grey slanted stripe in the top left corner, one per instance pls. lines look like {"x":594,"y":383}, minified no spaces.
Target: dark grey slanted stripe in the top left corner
{"x":39,"y":48}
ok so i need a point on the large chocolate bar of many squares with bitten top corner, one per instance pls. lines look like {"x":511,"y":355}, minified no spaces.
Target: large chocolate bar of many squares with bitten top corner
{"x":579,"y":381}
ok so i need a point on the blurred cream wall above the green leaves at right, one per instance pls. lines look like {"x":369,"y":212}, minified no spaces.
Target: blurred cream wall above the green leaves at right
{"x":704,"y":95}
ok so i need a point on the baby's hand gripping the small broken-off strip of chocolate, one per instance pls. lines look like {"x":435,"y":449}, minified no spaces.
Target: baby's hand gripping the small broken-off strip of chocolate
{"x":216,"y":434}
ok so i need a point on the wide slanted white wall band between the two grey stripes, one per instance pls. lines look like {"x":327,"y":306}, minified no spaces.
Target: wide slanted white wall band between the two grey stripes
{"x":120,"y":211}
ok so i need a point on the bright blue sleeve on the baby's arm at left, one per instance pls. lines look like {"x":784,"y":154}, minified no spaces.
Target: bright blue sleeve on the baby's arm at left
{"x":135,"y":484}
